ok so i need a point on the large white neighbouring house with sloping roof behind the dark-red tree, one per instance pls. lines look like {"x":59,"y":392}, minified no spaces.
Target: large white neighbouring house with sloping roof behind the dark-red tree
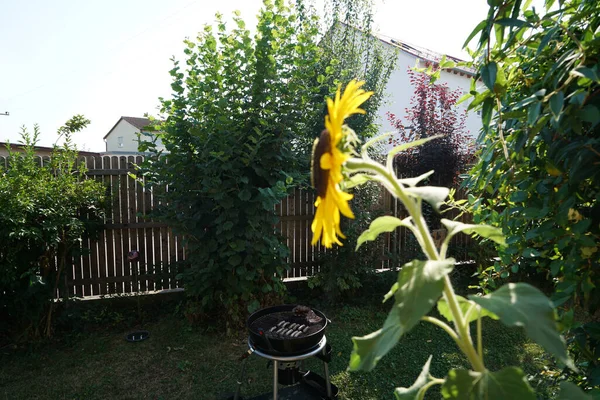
{"x":401,"y":91}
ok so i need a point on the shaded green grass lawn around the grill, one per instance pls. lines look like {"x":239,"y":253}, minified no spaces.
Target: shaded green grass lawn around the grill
{"x":181,"y":362}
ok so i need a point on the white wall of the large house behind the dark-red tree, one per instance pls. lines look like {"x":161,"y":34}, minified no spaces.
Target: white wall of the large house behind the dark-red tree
{"x":399,"y":92}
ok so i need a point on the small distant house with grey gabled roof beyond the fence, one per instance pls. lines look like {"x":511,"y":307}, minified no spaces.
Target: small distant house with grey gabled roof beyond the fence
{"x":124,"y":137}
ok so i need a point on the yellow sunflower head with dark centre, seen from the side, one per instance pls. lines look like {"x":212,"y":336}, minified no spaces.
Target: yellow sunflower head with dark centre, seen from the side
{"x":330,"y":152}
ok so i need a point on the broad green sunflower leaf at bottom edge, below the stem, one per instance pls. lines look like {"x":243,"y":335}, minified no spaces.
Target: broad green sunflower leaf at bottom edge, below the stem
{"x":508,"y":383}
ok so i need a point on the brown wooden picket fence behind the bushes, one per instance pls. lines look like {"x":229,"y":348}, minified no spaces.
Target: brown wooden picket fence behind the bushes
{"x":104,"y":268}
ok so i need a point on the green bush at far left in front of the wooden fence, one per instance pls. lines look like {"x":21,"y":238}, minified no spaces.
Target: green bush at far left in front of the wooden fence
{"x":45,"y":208}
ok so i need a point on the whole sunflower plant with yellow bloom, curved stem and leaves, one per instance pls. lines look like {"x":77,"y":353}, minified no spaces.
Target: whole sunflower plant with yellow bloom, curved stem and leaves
{"x":336,"y":167}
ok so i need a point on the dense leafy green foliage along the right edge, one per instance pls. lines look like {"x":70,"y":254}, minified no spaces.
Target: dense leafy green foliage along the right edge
{"x":537,"y":172}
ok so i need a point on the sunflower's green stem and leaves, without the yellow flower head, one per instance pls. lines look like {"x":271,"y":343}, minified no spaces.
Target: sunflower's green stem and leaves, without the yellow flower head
{"x":423,"y":283}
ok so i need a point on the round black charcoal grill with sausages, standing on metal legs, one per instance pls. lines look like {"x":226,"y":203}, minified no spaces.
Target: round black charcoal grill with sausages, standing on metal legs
{"x":286,"y":335}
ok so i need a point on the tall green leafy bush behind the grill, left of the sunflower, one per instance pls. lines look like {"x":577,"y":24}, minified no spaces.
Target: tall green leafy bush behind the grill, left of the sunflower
{"x":240,"y":115}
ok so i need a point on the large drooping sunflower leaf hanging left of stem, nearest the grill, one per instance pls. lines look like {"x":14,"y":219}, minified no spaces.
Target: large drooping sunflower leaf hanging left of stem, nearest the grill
{"x":420,"y":284}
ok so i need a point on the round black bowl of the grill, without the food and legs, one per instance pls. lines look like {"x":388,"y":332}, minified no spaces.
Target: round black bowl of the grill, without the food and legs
{"x":284,"y":346}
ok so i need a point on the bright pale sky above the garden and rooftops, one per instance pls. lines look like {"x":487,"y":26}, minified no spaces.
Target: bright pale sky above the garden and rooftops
{"x":107,"y":59}
